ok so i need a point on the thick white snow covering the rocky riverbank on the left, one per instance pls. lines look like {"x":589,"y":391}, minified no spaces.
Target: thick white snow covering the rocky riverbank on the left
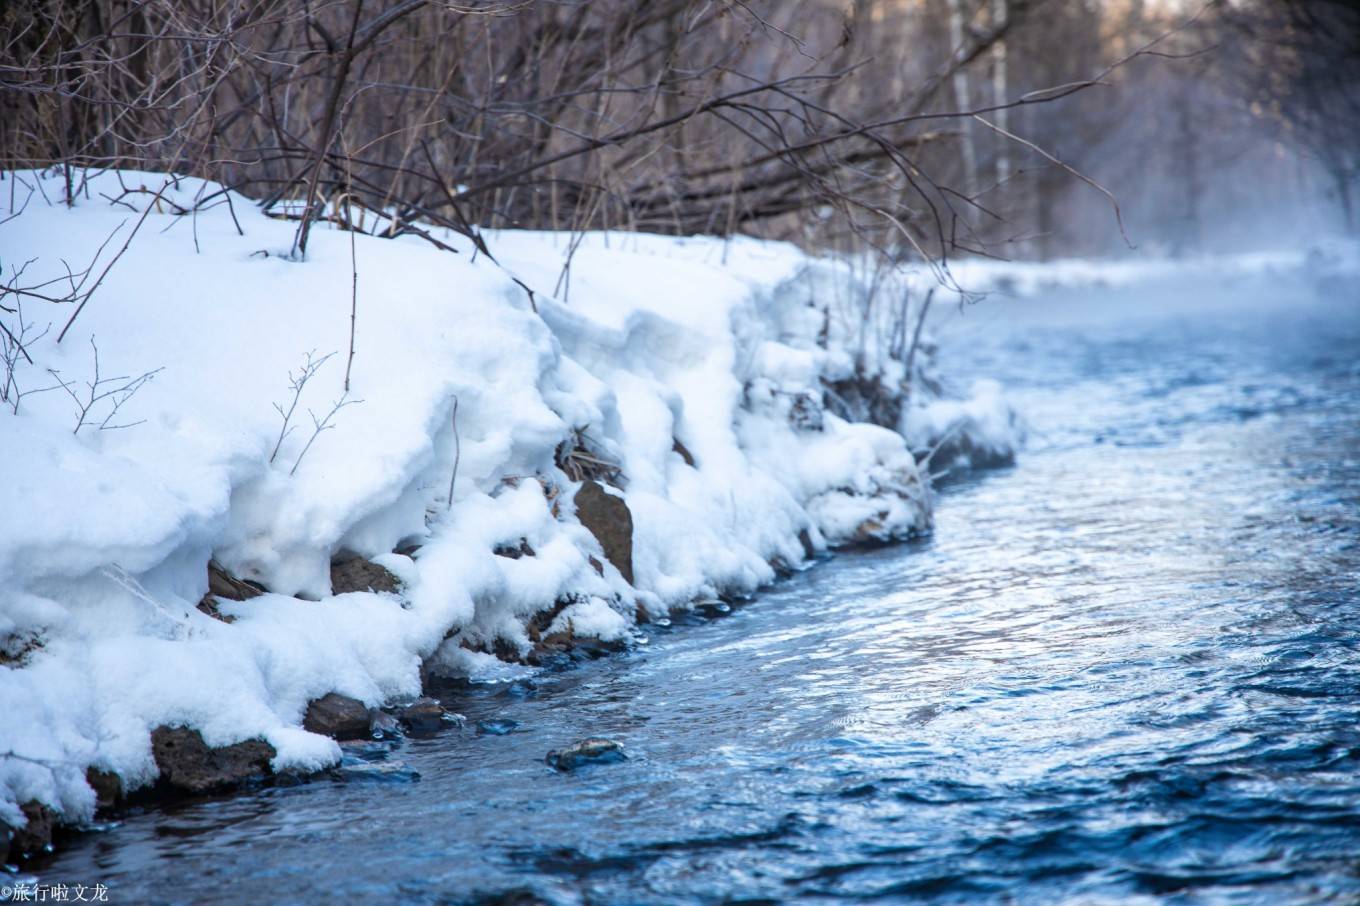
{"x":689,"y":375}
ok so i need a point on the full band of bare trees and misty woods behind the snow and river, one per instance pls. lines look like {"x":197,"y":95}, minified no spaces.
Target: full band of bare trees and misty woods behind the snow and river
{"x":915,"y":127}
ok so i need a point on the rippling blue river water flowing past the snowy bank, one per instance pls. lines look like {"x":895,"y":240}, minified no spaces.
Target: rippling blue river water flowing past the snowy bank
{"x":1123,"y":671}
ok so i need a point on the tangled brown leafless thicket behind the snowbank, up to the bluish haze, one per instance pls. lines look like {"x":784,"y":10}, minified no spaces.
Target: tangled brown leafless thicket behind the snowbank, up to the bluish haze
{"x":833,"y":123}
